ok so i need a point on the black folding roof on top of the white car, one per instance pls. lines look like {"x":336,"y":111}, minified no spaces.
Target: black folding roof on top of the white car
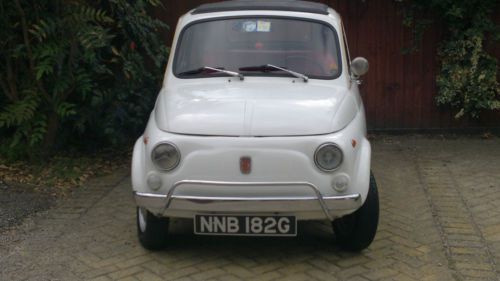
{"x":276,"y":5}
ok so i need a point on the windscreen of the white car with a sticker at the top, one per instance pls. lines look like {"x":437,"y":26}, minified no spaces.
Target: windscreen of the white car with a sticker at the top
{"x":245,"y":45}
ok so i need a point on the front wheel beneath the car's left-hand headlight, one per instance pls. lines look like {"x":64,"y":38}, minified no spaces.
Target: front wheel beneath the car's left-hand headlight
{"x":152,"y":230}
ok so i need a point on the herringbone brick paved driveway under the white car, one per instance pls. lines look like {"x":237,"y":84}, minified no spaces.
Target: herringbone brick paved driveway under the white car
{"x":440,"y":220}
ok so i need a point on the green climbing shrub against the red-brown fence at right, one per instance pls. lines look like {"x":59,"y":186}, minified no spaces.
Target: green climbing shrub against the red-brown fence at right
{"x":468,"y":75}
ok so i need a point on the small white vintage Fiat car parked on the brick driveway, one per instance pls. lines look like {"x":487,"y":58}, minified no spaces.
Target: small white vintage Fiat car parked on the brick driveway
{"x":259,"y":124}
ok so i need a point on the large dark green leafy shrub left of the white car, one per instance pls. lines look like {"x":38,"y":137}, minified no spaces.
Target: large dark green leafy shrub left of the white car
{"x":76,"y":71}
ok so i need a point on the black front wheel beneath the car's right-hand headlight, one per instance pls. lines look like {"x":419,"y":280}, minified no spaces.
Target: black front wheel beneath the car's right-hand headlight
{"x":356,"y":231}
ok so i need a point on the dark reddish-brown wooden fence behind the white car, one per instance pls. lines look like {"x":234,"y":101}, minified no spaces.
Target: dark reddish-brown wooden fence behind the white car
{"x":399,"y":91}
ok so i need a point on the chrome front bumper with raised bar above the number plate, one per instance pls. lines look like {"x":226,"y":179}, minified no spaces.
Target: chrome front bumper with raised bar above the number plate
{"x":185,"y":206}
